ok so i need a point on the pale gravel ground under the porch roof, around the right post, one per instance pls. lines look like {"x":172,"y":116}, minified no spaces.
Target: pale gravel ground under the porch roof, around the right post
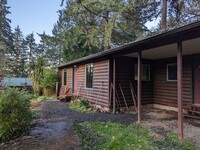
{"x":162,"y":121}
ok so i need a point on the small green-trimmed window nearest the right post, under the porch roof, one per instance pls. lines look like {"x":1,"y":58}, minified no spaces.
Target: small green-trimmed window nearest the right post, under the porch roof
{"x":171,"y":72}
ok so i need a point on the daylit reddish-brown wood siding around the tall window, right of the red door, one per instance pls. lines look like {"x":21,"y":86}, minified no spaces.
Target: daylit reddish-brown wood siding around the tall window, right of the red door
{"x":99,"y":94}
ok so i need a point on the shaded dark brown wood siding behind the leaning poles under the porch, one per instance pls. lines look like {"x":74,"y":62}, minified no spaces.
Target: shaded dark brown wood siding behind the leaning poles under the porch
{"x":125,"y":74}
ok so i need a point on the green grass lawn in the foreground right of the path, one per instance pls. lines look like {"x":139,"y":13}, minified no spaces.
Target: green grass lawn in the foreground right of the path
{"x":112,"y":136}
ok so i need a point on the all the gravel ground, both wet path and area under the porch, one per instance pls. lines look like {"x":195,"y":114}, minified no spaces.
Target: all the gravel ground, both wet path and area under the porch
{"x":54,"y":127}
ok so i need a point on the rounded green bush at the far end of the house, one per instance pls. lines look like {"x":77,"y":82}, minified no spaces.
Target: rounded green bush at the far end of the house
{"x":49,"y":82}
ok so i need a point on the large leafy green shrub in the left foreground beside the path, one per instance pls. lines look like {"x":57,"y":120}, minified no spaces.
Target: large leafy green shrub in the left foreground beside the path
{"x":15,"y":113}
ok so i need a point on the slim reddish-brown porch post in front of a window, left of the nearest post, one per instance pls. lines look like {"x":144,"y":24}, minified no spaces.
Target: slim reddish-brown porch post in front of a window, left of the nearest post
{"x":139,"y":88}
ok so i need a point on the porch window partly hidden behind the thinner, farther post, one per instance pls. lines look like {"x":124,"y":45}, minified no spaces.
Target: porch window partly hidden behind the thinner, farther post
{"x":145,"y":72}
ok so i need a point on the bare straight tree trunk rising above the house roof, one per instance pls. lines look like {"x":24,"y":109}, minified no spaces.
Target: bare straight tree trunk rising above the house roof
{"x":164,"y":15}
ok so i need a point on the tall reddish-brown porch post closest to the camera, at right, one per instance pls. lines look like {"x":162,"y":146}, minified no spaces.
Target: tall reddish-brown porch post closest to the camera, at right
{"x":179,"y":89}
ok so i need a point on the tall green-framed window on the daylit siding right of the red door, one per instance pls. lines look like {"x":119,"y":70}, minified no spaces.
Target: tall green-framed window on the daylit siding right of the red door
{"x":89,"y":76}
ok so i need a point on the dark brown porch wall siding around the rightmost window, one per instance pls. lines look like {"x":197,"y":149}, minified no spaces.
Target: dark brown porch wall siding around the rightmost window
{"x":165,"y":92}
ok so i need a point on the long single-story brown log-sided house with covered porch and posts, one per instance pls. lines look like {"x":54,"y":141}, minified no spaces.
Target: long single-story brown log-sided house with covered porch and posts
{"x":164,"y":71}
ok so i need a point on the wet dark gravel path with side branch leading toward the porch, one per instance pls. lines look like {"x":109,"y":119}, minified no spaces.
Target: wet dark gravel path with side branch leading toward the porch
{"x":54,"y":127}
